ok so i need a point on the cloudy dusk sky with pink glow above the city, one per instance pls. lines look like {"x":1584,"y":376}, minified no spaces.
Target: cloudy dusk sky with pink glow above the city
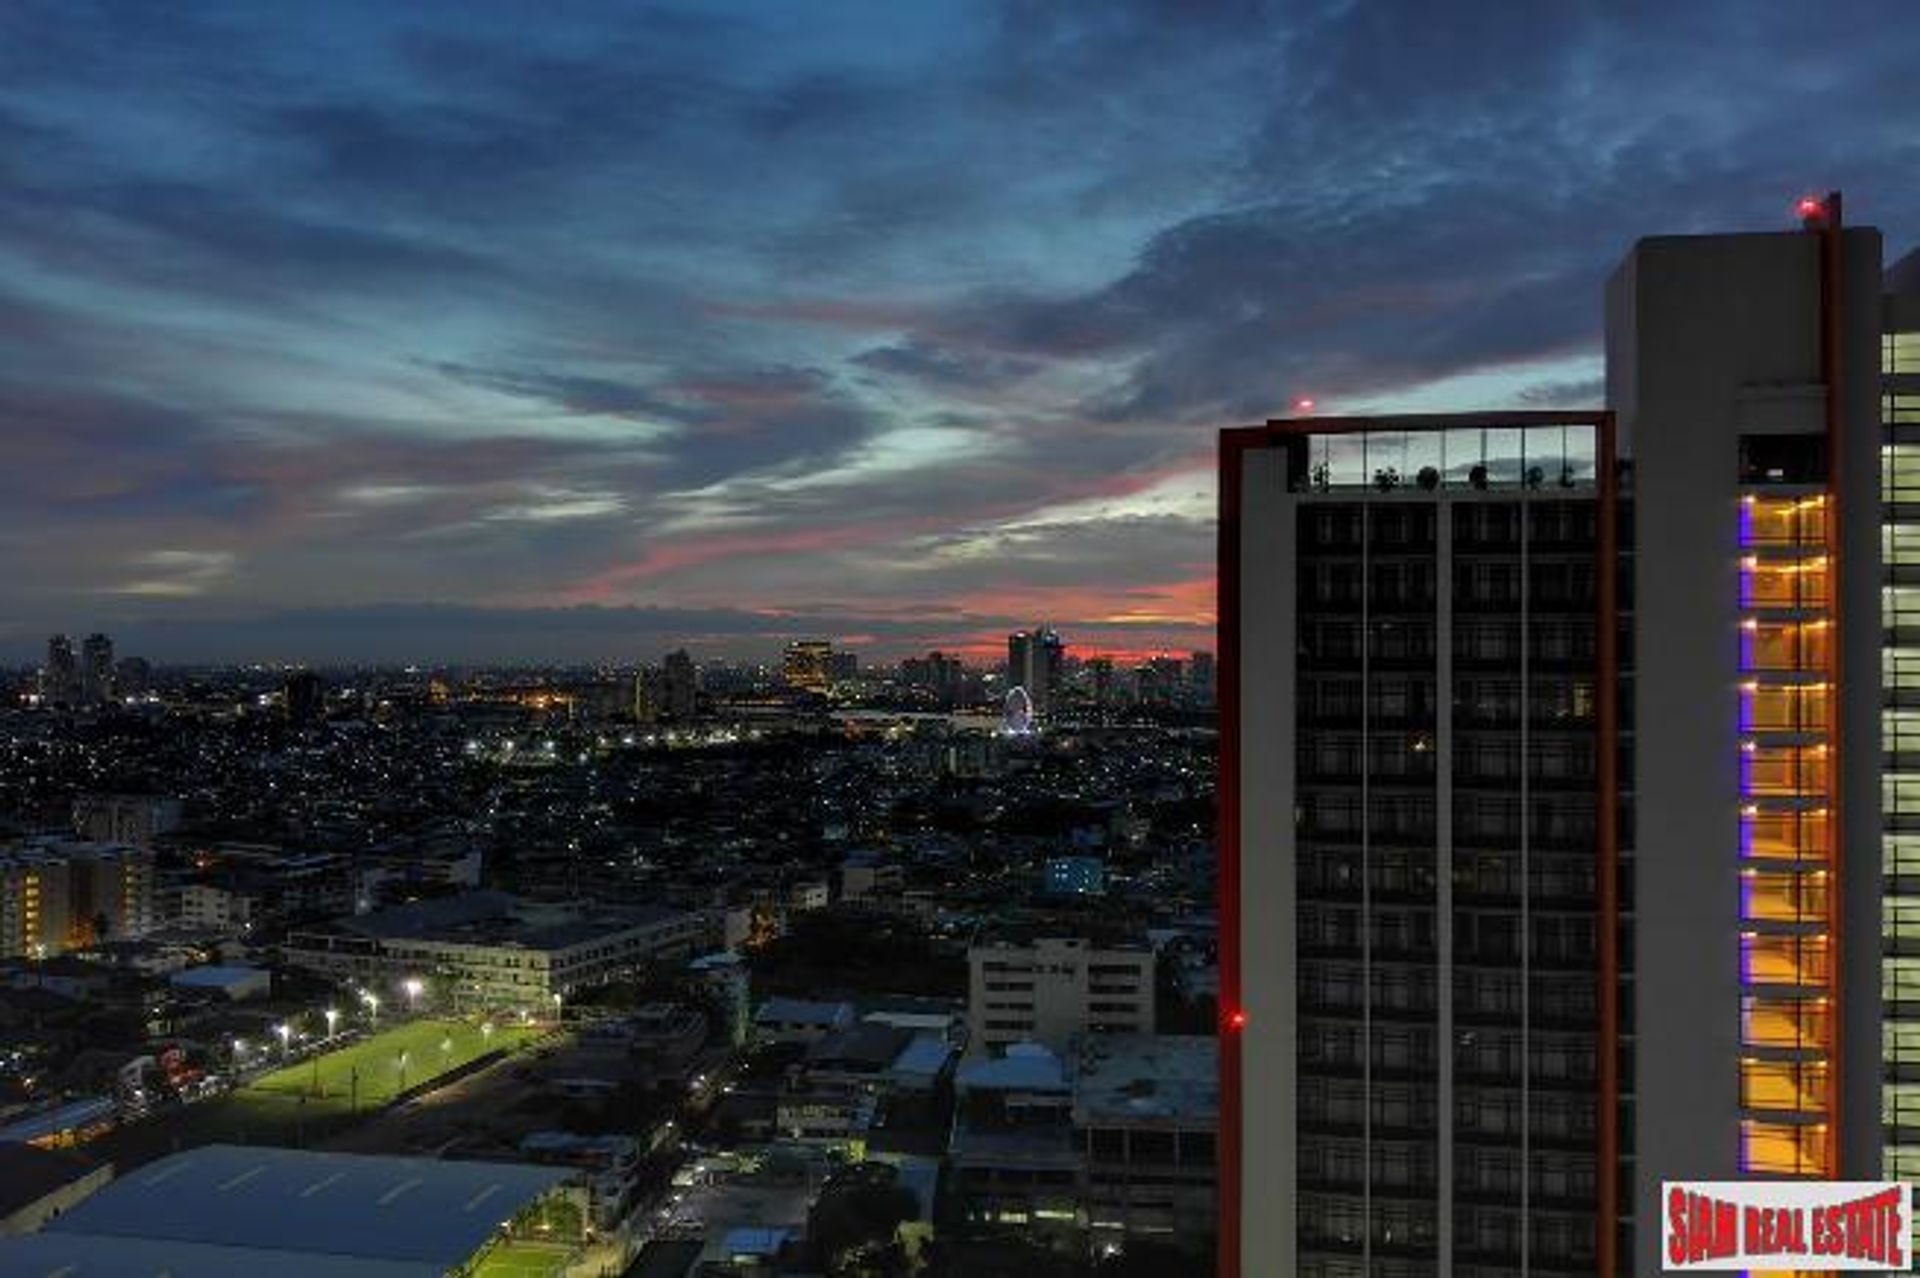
{"x":483,"y":331}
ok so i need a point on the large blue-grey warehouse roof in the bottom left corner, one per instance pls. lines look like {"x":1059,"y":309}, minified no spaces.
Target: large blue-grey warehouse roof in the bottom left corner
{"x":314,"y":1204}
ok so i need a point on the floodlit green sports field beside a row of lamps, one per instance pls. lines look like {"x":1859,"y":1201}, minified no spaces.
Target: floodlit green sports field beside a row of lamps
{"x":372,"y":1072}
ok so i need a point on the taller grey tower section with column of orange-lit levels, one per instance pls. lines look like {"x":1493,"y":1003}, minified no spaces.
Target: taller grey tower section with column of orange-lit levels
{"x":1746,"y":377}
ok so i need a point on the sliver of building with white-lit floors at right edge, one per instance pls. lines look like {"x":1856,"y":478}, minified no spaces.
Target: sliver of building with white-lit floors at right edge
{"x":1900,"y":719}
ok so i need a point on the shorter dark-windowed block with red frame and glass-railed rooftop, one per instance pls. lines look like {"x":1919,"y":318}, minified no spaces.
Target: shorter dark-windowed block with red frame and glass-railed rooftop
{"x":1418,"y":686}
